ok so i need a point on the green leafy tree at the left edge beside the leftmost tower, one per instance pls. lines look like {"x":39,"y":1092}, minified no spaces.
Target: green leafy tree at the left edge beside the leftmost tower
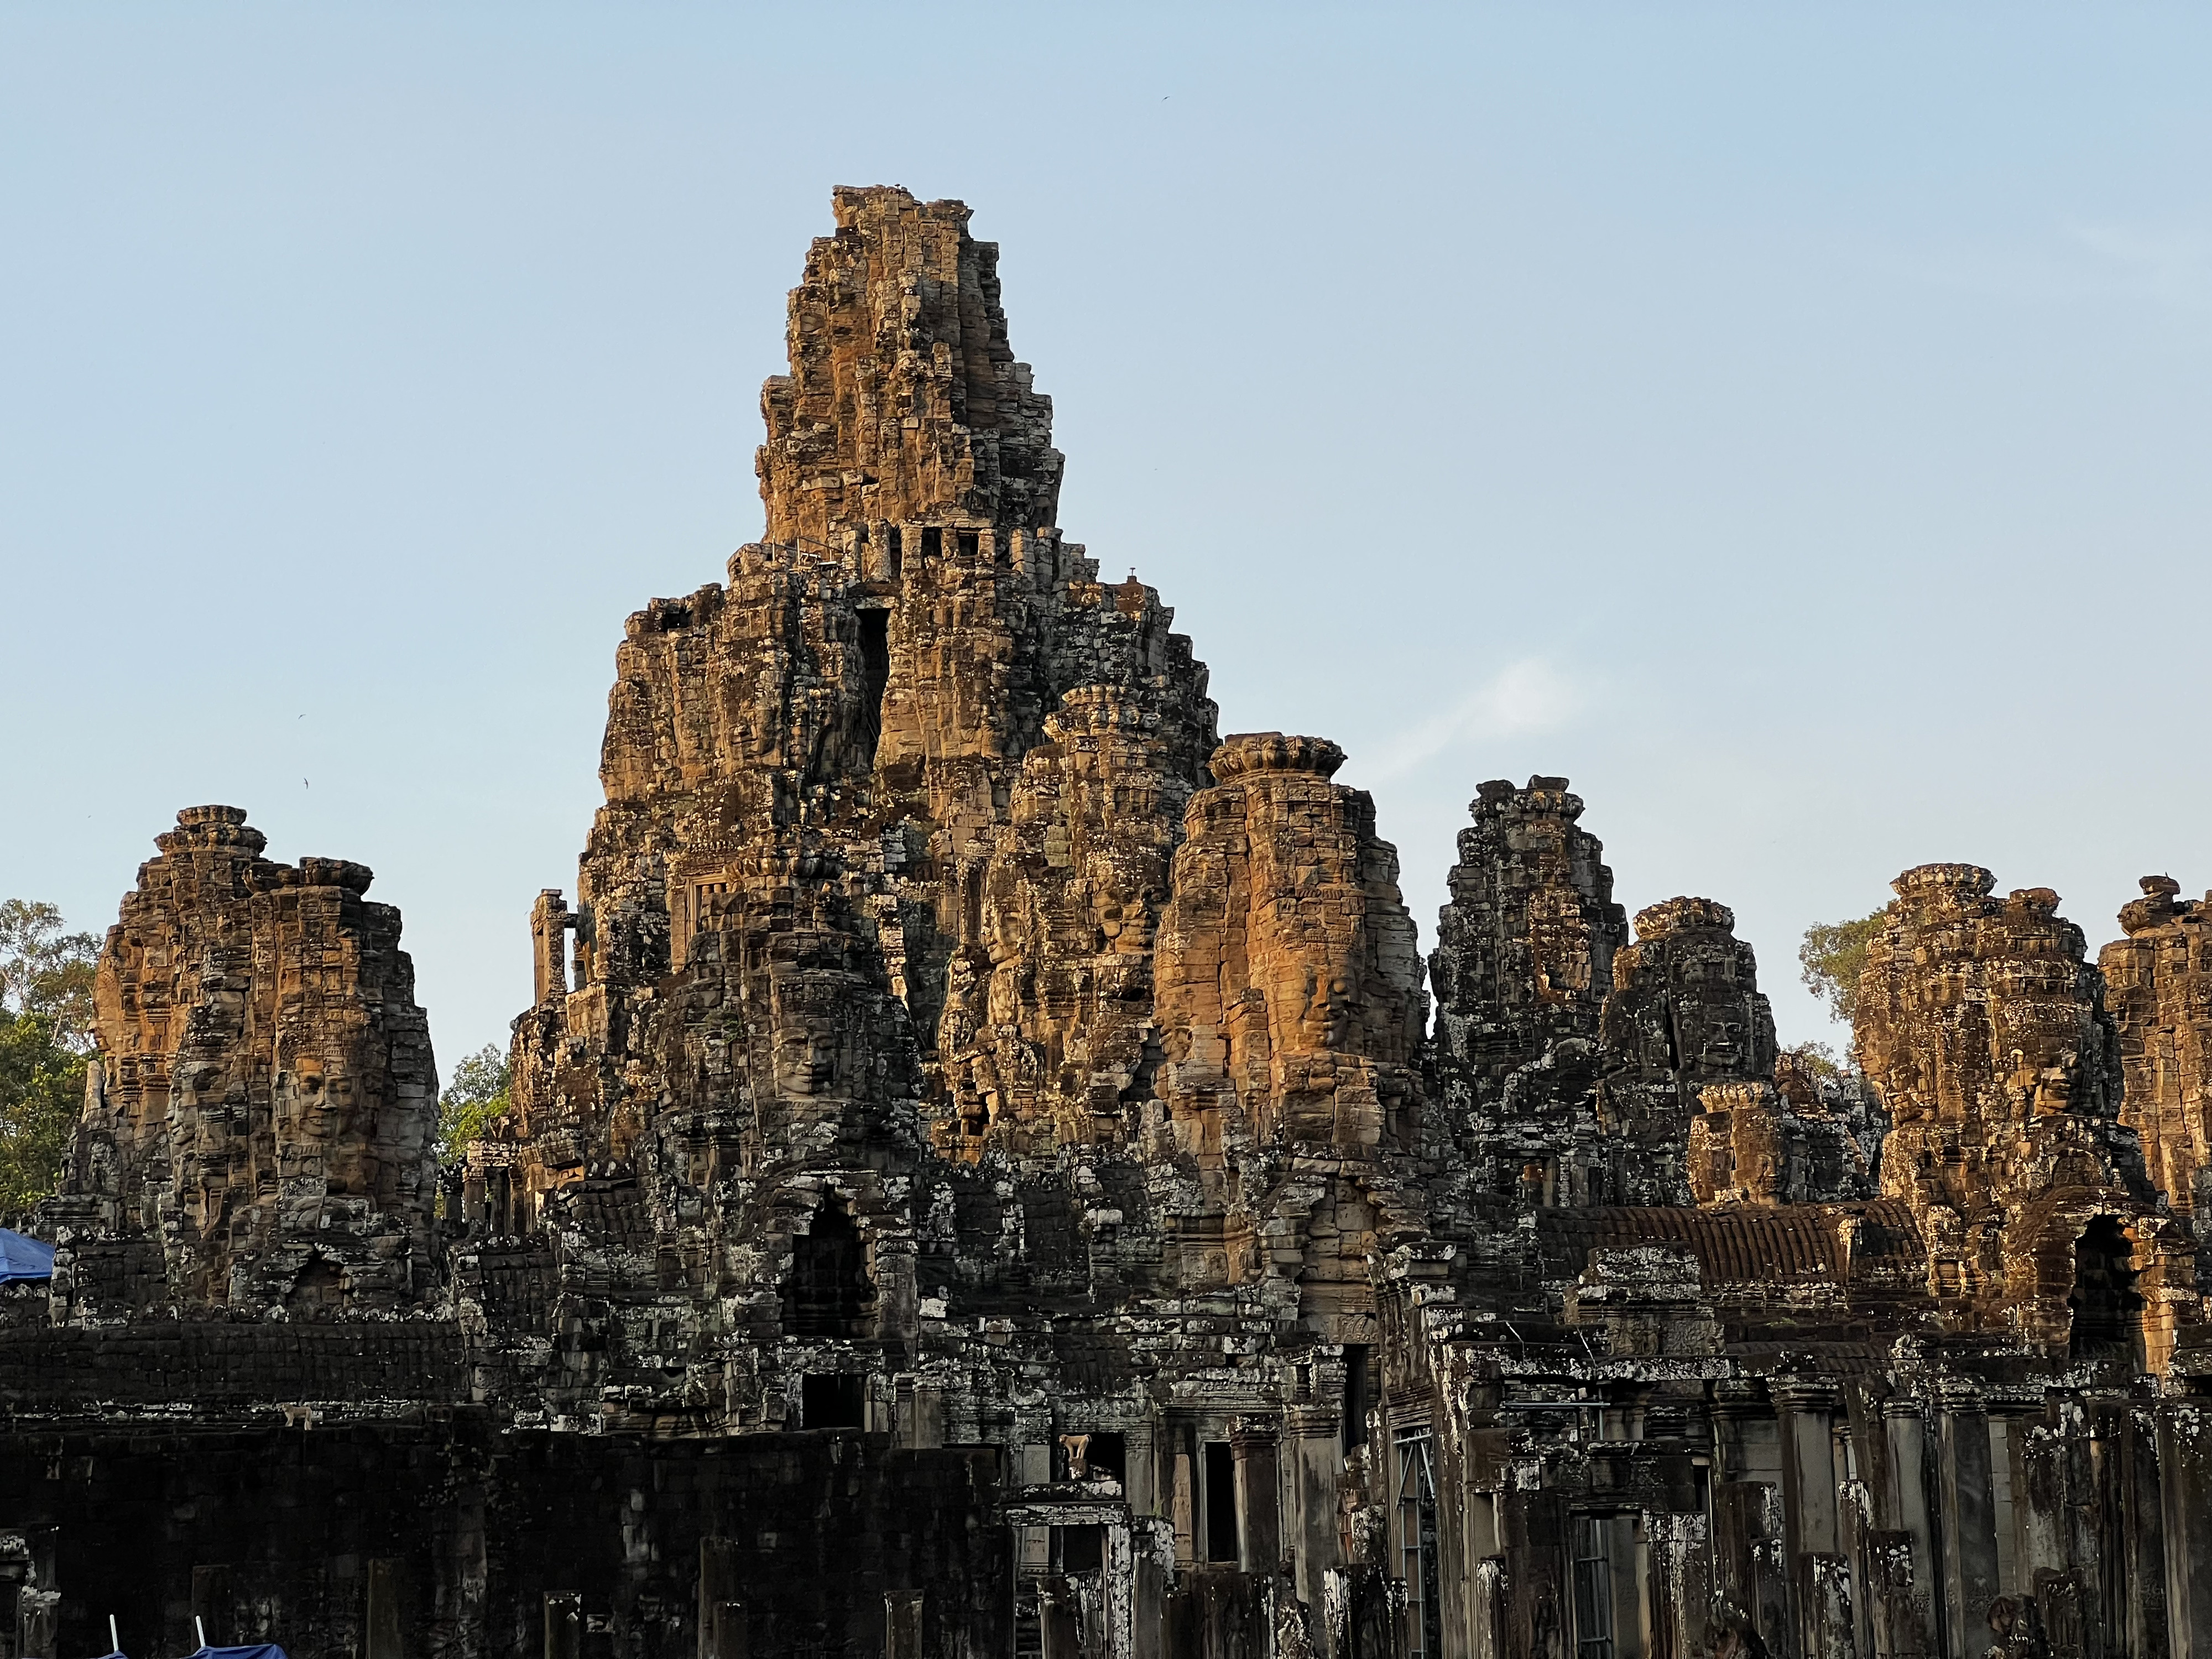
{"x":45,"y":1043}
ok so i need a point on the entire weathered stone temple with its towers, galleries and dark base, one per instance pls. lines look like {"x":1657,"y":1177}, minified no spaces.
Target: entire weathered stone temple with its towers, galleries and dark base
{"x":990,"y":1171}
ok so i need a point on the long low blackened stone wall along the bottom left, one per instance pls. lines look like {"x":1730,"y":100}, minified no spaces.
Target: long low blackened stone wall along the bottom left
{"x":395,"y":1541}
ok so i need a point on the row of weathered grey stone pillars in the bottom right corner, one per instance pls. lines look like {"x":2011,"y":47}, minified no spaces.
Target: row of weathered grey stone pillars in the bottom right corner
{"x":1930,"y":1532}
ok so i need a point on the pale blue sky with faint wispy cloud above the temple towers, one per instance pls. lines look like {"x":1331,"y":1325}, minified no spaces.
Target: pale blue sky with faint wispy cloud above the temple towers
{"x":1788,"y":421}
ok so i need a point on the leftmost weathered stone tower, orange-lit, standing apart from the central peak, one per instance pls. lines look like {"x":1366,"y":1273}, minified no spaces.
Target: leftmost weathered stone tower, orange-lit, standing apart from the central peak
{"x":264,"y":1103}
